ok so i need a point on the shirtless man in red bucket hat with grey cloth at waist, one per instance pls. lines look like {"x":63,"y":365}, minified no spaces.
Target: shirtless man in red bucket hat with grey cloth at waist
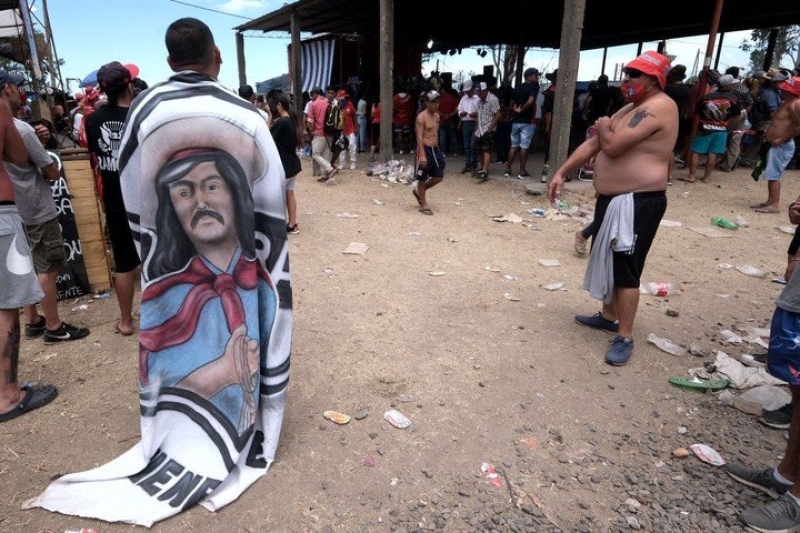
{"x":632,"y":150}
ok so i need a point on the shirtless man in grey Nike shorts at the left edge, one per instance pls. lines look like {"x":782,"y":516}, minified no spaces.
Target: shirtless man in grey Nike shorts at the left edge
{"x":18,"y":279}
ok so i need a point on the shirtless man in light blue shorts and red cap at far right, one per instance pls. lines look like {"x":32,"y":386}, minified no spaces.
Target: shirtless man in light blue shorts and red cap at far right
{"x":783,"y":128}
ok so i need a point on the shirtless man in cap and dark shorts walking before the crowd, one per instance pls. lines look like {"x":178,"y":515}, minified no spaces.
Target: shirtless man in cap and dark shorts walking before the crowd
{"x":430,"y":160}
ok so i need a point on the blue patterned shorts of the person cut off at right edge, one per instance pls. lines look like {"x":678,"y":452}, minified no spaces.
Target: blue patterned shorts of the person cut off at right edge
{"x":783,"y":355}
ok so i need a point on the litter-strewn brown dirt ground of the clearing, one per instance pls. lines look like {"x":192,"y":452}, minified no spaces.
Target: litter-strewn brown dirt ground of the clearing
{"x":487,"y":364}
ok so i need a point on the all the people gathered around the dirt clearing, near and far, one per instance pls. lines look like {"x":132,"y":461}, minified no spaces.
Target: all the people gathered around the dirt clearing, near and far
{"x":198,"y":196}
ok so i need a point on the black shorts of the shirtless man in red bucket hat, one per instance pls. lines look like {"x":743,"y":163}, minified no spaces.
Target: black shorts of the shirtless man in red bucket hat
{"x":648,"y":209}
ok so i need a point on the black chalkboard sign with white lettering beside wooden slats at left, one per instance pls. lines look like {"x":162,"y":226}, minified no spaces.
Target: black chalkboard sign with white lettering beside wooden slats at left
{"x":72,"y":280}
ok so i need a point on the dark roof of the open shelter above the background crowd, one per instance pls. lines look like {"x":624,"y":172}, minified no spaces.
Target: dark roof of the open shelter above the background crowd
{"x":455,"y":25}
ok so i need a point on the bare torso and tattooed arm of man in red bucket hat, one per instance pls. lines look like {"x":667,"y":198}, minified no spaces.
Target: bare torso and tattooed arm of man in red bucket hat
{"x":636,"y":146}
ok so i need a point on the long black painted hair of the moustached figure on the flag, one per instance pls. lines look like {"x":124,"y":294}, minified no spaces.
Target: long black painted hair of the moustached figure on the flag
{"x":174,"y":249}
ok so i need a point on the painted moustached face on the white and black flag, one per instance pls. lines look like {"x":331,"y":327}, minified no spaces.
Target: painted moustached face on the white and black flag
{"x":204,"y":205}
